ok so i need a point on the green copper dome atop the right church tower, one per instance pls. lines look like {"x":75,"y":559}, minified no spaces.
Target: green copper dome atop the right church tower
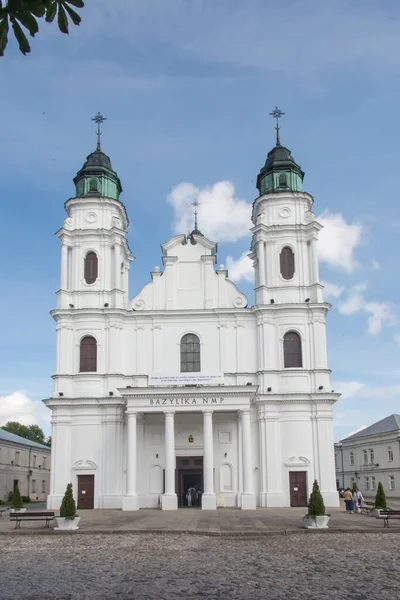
{"x":280,"y":172}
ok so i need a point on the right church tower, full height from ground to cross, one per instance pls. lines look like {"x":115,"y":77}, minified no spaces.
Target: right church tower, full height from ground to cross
{"x":293,"y":375}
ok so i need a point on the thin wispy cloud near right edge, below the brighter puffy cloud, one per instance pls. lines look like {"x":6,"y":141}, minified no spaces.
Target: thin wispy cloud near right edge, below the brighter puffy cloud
{"x":380,"y":314}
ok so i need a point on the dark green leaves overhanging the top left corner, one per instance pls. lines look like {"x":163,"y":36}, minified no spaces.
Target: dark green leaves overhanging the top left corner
{"x":26,"y":13}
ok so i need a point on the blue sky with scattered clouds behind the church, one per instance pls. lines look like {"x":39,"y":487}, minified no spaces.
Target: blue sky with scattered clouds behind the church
{"x":187,"y":88}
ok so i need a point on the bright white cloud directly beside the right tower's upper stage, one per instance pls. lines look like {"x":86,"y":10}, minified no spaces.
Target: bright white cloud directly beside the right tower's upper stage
{"x":338,"y":240}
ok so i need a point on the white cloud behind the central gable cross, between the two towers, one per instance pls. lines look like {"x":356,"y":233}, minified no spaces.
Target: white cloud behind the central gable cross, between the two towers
{"x":222,"y":216}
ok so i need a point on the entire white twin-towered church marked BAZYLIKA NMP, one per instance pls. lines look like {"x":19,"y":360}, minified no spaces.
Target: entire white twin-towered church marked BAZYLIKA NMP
{"x":185,"y":385}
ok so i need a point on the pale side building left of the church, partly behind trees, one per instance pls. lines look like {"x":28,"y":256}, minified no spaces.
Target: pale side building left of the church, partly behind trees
{"x":23,"y":463}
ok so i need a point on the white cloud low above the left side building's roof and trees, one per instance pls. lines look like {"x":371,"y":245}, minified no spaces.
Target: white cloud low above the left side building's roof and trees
{"x":18,"y":407}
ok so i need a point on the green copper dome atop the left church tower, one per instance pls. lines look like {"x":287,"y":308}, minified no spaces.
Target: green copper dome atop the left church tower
{"x":97,"y":178}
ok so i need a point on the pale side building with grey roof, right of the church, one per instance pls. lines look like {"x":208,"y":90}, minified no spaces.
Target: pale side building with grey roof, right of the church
{"x":370,"y":456}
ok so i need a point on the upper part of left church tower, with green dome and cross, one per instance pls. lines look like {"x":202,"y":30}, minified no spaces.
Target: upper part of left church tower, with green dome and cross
{"x":95,"y":253}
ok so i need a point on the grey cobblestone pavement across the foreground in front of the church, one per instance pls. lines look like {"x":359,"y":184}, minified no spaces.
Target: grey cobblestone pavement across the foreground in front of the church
{"x":169,"y":567}
